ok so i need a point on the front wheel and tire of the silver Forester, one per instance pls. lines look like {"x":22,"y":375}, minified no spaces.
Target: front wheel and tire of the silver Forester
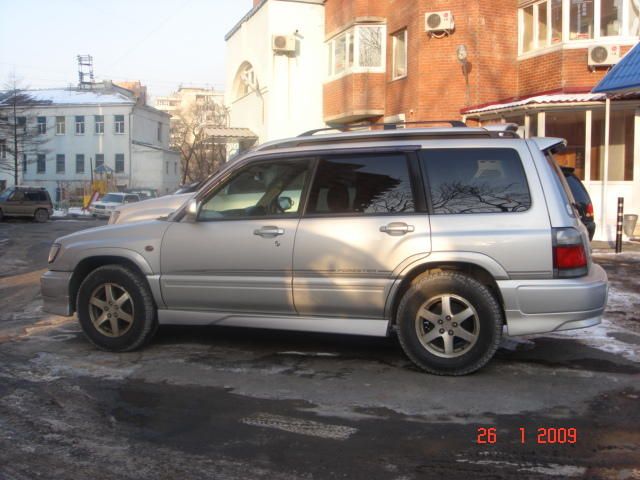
{"x":129,"y":321}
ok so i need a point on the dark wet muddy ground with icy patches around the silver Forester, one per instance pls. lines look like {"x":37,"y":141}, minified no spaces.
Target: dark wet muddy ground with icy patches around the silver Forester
{"x":239,"y":404}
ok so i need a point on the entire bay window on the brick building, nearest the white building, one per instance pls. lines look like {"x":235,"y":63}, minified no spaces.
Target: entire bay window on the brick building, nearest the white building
{"x":359,"y":49}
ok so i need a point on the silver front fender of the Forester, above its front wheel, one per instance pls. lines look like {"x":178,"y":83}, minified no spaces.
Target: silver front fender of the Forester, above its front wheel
{"x":138,"y":242}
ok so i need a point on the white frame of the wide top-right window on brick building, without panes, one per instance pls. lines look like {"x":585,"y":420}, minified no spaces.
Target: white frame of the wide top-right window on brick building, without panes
{"x":624,"y":38}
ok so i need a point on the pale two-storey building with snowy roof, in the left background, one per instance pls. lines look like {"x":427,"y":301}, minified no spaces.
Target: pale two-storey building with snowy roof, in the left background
{"x":84,"y":129}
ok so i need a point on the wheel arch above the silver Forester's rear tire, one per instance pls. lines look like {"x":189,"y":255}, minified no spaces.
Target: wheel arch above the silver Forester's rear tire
{"x":470,"y":268}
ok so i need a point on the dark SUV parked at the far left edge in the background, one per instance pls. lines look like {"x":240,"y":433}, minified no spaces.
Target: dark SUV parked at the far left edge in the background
{"x":23,"y":201}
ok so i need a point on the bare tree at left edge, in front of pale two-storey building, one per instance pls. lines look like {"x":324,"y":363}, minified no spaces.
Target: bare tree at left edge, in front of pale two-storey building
{"x":19,"y":133}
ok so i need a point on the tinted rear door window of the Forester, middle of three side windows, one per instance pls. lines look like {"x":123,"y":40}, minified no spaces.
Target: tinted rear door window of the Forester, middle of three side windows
{"x":372,"y":184}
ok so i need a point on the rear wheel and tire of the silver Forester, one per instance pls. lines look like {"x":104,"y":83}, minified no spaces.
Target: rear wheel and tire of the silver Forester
{"x":429,"y":333}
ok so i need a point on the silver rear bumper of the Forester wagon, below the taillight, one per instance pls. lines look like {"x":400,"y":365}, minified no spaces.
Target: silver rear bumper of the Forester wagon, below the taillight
{"x":540,"y":306}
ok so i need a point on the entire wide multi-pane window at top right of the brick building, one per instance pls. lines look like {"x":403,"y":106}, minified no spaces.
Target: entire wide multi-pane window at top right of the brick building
{"x":541,"y":21}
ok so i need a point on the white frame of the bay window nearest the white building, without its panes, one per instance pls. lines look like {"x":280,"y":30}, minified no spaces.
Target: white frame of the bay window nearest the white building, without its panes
{"x":352,"y":37}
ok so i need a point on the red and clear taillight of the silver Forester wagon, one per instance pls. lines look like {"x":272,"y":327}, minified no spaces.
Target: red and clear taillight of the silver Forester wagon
{"x":569,"y":254}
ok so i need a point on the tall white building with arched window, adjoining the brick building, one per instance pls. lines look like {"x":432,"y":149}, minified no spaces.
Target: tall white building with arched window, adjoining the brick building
{"x":275,"y":66}
